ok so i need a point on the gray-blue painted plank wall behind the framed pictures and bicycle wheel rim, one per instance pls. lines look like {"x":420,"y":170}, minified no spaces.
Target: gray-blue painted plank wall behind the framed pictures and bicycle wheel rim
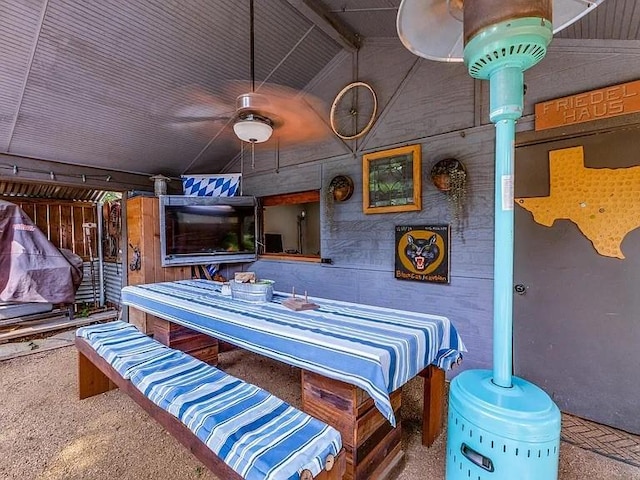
{"x":440,"y":107}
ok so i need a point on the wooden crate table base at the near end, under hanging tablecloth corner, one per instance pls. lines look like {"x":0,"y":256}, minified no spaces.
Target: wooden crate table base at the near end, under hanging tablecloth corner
{"x":373,"y":447}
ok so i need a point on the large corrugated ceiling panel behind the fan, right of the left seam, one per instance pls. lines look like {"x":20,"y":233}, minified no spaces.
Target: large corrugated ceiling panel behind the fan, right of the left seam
{"x":103,"y":68}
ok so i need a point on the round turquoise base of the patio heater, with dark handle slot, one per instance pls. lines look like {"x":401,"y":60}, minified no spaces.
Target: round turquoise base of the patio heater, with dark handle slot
{"x":501,"y":433}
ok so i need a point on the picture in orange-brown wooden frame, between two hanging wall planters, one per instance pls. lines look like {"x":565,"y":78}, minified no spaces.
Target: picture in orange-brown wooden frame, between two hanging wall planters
{"x":391,"y":180}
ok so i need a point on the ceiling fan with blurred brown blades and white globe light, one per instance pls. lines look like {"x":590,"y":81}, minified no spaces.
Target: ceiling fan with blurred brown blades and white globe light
{"x":260,"y":112}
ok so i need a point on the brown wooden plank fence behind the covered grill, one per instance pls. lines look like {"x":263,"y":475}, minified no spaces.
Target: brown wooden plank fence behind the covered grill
{"x":61,"y":221}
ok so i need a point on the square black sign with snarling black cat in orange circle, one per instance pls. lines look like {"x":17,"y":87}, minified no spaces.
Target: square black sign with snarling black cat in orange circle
{"x":423,"y":253}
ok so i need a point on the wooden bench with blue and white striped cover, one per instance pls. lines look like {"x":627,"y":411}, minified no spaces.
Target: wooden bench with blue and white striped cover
{"x":236,"y":429}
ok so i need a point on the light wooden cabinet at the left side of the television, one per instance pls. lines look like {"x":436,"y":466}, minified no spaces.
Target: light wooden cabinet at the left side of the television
{"x":143,"y":227}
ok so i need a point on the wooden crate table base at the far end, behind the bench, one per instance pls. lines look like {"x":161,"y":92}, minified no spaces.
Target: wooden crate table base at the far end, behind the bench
{"x":196,"y":344}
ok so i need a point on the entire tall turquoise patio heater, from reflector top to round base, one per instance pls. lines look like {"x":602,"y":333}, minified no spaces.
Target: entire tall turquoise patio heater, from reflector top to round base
{"x":499,"y":426}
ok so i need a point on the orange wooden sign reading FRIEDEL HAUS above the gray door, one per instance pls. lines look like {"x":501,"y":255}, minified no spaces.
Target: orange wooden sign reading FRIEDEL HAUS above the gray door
{"x":594,"y":105}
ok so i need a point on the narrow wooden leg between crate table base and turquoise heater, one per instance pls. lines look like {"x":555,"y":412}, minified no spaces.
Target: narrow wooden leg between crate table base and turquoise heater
{"x":433,"y":404}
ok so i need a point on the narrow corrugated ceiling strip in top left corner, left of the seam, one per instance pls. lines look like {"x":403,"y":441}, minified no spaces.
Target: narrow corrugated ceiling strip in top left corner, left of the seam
{"x":18,"y":36}
